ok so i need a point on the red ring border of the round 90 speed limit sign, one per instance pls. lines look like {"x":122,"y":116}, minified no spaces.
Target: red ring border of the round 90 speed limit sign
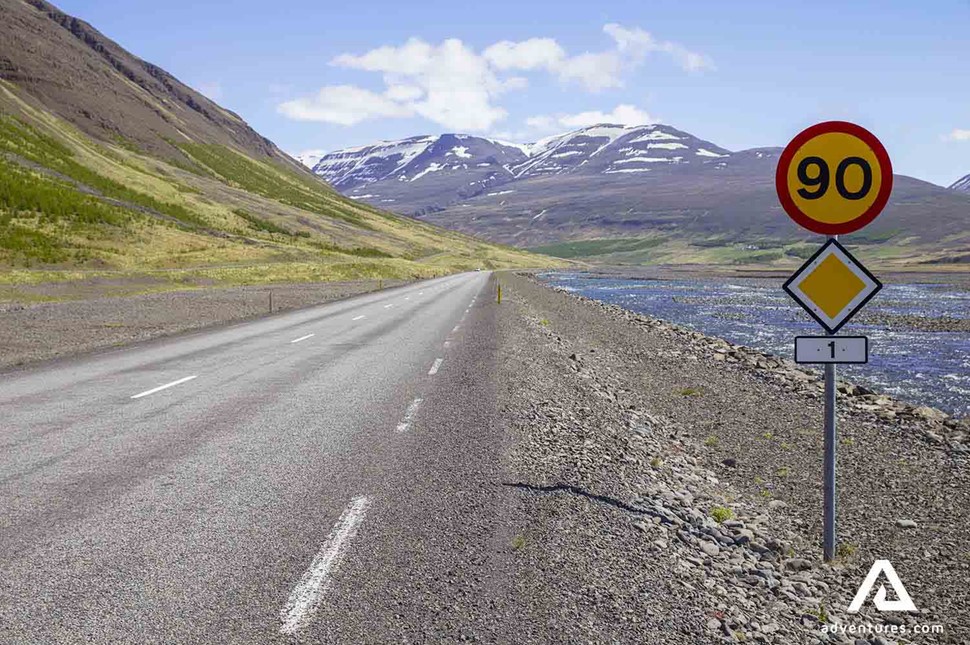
{"x":803,"y":220}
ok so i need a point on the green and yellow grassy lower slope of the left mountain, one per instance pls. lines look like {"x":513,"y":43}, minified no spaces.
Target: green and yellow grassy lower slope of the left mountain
{"x":73,"y":207}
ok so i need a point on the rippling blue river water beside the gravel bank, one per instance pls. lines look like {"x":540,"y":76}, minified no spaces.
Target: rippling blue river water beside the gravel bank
{"x":925,"y":368}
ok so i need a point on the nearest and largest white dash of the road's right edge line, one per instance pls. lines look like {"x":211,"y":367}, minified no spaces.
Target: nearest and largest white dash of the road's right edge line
{"x":308,"y":593}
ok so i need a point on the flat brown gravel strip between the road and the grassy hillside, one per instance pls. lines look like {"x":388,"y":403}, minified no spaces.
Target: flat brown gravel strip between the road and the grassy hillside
{"x":38,"y":332}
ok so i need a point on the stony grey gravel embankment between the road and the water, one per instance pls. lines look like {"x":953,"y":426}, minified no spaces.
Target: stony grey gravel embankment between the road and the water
{"x":672,"y":485}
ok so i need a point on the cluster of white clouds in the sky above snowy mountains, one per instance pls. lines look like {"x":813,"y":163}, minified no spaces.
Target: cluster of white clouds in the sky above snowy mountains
{"x":457,"y":88}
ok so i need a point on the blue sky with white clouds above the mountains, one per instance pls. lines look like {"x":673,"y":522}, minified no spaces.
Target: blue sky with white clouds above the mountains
{"x":328,"y":75}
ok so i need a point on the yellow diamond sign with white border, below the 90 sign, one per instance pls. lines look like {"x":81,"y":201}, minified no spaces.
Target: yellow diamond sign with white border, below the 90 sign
{"x":832,"y":286}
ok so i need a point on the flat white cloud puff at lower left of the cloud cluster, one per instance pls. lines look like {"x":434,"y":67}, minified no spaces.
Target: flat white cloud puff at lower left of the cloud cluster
{"x":343,"y":105}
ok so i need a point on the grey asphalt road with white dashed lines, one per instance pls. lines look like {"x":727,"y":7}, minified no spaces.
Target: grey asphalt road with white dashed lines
{"x":325,"y":475}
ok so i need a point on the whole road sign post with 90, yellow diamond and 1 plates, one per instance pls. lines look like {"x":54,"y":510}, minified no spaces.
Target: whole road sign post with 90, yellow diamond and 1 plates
{"x":833,"y":178}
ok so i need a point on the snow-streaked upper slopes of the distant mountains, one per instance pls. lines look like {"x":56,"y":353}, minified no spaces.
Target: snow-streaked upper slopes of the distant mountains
{"x":427,"y":173}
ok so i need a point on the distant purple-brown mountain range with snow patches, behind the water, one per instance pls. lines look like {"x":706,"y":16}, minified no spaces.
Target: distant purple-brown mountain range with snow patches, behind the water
{"x":684,"y":198}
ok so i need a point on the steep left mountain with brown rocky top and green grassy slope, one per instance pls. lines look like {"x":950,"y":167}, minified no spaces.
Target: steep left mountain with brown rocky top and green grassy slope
{"x":109,"y":163}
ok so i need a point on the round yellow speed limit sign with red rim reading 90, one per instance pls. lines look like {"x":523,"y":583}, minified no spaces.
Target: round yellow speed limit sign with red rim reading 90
{"x":834,"y":178}
